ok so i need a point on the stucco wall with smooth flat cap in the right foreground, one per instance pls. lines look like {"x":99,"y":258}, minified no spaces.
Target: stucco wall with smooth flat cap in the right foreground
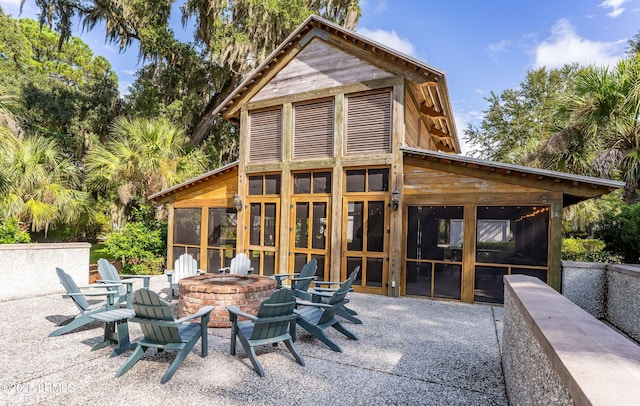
{"x":555,"y":353}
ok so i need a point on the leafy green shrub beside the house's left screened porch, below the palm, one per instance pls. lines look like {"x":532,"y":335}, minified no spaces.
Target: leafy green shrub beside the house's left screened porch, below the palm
{"x":140,"y":246}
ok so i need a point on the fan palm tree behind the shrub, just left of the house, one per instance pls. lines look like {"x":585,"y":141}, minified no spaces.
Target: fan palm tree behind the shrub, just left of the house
{"x":141,"y":157}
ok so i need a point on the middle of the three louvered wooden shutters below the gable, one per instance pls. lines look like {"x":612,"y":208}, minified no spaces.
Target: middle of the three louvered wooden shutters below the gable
{"x":313,"y":130}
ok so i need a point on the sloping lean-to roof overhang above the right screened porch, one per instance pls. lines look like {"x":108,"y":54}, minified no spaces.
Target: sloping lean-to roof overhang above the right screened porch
{"x":575,"y":188}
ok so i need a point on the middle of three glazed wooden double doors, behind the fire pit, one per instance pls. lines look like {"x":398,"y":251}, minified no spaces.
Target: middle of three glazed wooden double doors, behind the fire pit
{"x":310,"y":228}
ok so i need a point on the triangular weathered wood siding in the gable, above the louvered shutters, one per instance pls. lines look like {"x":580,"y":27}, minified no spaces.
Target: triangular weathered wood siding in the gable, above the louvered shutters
{"x":319,"y":66}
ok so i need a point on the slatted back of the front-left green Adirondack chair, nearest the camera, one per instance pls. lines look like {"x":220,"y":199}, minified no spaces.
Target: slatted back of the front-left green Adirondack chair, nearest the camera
{"x":151,"y":311}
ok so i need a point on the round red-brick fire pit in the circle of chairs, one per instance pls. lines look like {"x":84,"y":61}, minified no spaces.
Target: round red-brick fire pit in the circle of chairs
{"x":244,"y":291}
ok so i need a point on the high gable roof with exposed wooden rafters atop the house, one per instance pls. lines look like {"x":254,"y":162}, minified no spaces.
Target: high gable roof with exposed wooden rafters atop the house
{"x":428,"y":82}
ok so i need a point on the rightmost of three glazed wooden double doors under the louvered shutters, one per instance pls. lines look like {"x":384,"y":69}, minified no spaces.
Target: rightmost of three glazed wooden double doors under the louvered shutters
{"x":365,"y":241}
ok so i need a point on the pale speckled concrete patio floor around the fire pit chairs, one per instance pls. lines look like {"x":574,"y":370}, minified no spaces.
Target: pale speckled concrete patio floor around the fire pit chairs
{"x":410,"y":351}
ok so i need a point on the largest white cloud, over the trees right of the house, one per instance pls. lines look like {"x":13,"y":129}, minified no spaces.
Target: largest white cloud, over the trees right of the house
{"x":566,"y":46}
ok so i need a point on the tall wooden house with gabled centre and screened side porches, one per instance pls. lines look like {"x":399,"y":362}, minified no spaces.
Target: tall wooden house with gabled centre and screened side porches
{"x":349,"y":154}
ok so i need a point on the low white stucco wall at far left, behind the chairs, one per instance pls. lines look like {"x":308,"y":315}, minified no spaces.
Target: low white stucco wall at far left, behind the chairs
{"x":28,"y":270}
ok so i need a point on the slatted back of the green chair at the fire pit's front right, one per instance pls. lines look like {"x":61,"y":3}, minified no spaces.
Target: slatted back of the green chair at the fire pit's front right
{"x":274,"y":315}
